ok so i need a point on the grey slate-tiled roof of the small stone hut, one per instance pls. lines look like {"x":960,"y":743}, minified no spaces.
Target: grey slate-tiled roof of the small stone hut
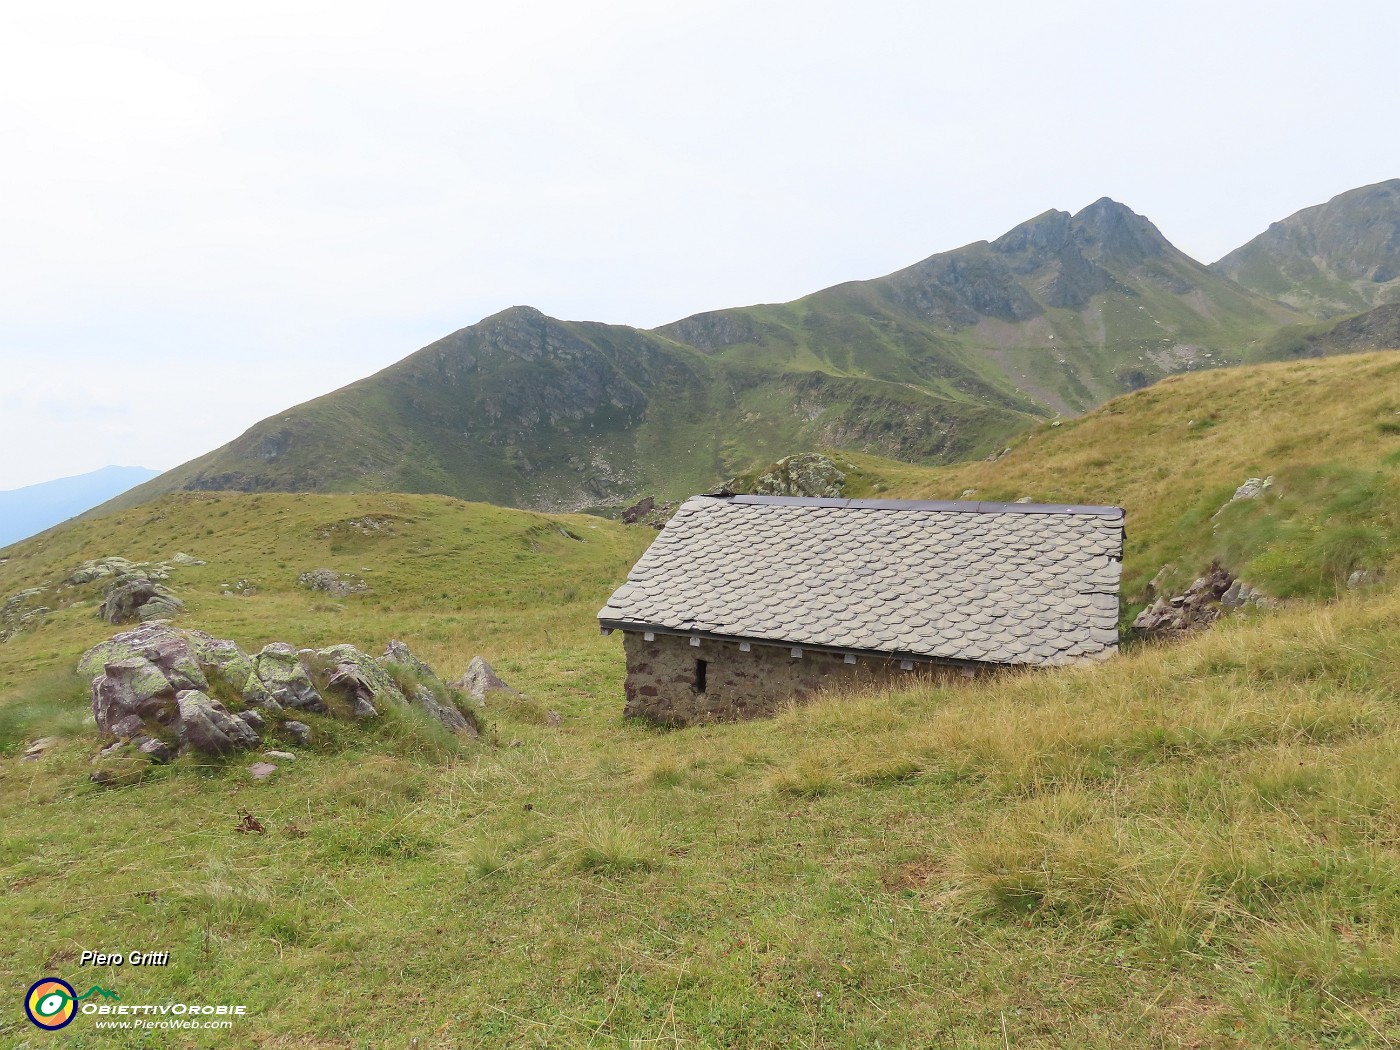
{"x":960,"y":582}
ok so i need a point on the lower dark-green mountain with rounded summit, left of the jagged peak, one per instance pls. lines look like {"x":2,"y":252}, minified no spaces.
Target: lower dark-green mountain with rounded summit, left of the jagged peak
{"x":604,"y":415}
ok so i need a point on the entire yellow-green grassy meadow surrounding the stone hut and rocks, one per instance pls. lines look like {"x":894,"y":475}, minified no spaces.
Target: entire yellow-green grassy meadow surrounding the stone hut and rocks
{"x":1191,"y":846}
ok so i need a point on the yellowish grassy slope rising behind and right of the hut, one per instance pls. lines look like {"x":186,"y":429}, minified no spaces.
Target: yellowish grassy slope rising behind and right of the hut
{"x":1174,"y":454}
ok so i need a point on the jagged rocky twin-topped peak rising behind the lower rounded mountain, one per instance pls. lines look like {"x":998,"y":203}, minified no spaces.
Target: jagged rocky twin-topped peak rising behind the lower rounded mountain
{"x":1065,"y":310}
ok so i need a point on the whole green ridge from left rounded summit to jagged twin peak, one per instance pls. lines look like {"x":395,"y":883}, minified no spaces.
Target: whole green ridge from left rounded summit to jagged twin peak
{"x":939,"y":362}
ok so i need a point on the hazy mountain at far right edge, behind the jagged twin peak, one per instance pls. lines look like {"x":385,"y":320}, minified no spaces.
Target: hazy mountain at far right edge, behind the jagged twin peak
{"x":1336,"y":258}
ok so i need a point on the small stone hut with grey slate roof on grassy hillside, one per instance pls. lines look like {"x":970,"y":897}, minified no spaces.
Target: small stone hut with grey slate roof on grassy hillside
{"x":745,"y":603}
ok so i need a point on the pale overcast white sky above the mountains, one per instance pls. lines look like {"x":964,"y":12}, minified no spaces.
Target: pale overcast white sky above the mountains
{"x":212,"y":212}
